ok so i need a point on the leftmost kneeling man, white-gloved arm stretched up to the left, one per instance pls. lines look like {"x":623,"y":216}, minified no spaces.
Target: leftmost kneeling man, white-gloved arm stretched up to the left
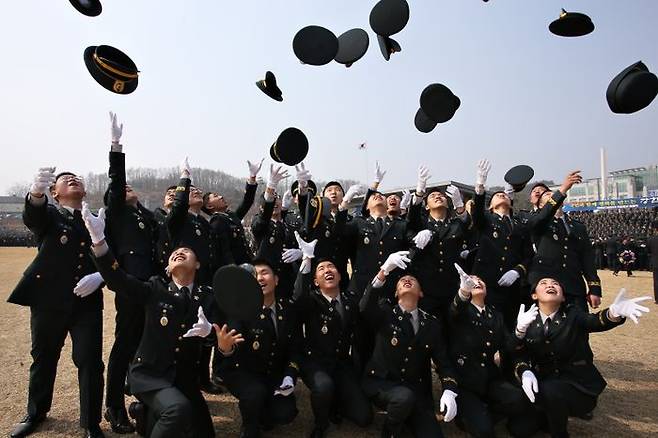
{"x":164,"y":373}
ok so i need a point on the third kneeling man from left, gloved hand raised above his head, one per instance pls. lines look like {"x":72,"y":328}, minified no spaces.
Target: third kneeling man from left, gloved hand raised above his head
{"x":329,"y":316}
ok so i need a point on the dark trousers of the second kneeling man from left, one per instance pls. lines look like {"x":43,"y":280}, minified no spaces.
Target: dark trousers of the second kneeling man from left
{"x":257,"y":402}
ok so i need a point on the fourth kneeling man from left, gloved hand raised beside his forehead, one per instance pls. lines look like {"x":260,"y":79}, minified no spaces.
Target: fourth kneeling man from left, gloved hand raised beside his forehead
{"x":398,"y":378}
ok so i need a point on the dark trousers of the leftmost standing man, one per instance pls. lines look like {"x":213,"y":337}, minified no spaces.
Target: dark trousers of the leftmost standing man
{"x":49,"y":329}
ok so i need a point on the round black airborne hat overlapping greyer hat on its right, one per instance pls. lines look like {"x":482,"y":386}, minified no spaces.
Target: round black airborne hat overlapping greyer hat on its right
{"x":315,"y":45}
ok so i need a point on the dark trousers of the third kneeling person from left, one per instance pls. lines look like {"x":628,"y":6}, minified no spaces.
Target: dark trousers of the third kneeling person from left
{"x":336,"y":390}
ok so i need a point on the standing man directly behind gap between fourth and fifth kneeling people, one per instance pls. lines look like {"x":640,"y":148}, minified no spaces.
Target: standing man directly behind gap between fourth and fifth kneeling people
{"x":441,"y":238}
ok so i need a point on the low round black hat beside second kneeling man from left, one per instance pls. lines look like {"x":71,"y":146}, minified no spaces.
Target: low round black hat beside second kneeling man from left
{"x":238,"y":294}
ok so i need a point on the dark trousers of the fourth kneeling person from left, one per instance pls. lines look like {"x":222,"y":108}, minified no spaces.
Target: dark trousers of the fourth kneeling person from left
{"x":404,"y":405}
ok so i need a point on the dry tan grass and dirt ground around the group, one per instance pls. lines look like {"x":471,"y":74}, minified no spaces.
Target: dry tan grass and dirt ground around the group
{"x":627,"y":357}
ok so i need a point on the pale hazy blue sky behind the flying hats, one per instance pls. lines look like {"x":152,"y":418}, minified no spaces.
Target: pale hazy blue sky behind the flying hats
{"x":527,"y":96}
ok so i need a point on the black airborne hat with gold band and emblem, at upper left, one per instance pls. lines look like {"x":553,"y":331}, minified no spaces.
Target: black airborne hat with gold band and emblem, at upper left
{"x":112,"y":68}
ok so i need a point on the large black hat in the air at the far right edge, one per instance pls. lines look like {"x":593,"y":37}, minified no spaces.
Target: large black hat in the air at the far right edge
{"x":632,"y":90}
